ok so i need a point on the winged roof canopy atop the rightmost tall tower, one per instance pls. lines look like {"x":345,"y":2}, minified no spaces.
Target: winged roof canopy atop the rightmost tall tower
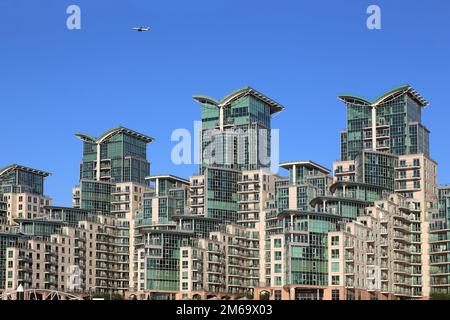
{"x":389,"y":95}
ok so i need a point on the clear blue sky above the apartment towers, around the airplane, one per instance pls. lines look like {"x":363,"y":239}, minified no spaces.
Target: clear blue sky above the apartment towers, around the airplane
{"x":54,"y":82}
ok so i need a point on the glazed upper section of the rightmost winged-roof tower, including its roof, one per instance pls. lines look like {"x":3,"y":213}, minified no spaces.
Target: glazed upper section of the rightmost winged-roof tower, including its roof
{"x":391,"y":123}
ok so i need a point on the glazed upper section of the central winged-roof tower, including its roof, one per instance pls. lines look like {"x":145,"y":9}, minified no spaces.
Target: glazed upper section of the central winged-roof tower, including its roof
{"x":236,"y":130}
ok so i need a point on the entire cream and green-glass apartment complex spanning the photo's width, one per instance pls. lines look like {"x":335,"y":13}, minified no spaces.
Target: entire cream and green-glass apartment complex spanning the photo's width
{"x":376,"y":227}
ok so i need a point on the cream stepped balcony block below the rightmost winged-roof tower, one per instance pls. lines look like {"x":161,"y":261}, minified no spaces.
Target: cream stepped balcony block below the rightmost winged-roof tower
{"x":378,"y":255}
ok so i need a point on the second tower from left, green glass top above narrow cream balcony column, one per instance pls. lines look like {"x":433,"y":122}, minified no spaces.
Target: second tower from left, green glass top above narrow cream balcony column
{"x":112,"y":181}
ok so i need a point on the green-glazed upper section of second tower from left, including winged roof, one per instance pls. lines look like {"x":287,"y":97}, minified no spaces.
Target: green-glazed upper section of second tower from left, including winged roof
{"x":118,"y":156}
